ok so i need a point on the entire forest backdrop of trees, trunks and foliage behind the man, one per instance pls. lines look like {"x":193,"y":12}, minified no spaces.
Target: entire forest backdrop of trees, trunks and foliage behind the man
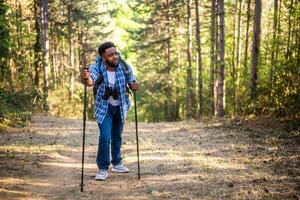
{"x":192,"y":59}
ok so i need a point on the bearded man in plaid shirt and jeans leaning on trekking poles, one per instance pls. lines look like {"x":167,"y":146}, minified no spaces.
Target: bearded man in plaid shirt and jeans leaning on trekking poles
{"x":111,"y":105}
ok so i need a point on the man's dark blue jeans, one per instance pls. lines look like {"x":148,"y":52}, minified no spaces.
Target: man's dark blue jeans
{"x":110,"y":133}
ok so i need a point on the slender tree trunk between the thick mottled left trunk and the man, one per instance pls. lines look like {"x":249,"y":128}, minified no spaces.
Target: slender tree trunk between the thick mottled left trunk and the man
{"x":71,"y":51}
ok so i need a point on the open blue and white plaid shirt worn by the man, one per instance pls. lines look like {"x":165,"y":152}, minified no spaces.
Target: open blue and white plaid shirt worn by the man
{"x":123,"y":77}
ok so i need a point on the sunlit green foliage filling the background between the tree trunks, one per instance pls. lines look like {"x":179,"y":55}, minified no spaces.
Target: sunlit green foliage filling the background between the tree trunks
{"x":152,"y":37}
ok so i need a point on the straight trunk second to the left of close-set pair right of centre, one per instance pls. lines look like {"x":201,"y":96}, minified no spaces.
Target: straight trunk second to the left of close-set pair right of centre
{"x":190,"y":103}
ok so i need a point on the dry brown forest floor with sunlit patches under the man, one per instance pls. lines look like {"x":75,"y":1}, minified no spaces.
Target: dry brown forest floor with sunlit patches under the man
{"x":208,"y":159}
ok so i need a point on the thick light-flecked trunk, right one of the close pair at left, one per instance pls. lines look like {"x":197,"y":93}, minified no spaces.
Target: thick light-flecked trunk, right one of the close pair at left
{"x":45,"y":41}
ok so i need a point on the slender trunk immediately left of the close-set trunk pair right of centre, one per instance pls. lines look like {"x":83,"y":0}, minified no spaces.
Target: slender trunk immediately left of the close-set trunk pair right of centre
{"x":198,"y":39}
